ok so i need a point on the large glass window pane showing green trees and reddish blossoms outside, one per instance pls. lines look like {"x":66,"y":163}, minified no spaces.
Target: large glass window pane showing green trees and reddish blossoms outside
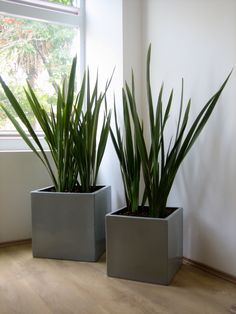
{"x":38,"y":52}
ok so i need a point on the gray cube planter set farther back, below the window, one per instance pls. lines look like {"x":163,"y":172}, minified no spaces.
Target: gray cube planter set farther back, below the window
{"x":69,"y":225}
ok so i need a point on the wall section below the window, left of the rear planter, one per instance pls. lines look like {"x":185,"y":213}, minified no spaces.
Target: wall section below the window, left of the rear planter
{"x":20,"y":172}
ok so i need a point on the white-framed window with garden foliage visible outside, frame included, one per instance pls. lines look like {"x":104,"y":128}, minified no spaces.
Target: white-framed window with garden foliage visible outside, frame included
{"x":38,"y":40}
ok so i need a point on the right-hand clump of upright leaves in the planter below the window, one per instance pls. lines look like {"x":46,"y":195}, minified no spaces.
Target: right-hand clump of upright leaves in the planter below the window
{"x":90,"y":138}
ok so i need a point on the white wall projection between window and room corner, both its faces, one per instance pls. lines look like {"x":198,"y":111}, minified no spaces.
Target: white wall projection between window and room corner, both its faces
{"x":113,"y":39}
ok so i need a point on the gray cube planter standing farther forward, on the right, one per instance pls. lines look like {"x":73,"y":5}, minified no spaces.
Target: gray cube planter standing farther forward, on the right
{"x":144,"y":249}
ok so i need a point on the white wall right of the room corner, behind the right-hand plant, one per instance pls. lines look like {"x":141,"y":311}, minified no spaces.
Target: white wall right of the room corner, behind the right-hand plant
{"x":196,"y":40}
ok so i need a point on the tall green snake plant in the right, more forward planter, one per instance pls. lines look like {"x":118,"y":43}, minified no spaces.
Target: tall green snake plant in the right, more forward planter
{"x":160,"y":160}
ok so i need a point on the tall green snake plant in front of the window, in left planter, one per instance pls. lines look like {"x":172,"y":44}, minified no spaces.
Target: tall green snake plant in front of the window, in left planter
{"x":64,"y":133}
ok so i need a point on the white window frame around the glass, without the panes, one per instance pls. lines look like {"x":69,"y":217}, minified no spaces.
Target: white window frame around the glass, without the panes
{"x":48,"y":12}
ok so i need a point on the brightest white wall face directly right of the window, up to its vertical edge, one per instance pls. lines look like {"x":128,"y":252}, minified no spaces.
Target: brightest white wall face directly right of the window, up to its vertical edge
{"x":104,"y":44}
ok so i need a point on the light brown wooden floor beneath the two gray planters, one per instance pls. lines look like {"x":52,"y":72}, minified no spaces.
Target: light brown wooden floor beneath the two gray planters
{"x":41,"y":286}
